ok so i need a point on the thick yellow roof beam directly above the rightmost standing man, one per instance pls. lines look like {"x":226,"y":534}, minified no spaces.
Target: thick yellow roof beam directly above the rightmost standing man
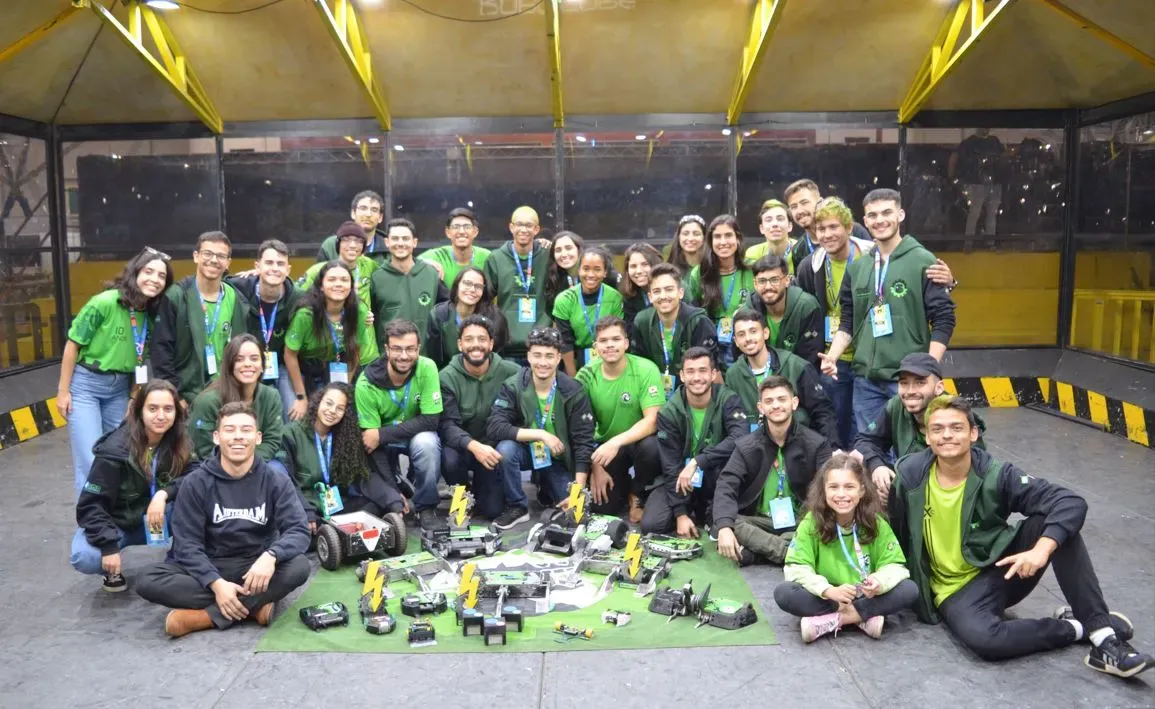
{"x":947,"y":51}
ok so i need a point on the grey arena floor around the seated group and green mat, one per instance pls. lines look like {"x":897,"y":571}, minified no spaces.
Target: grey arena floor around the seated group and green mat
{"x":66,"y":644}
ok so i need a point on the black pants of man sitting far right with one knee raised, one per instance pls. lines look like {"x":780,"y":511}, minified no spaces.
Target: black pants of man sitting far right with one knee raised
{"x":974,"y":614}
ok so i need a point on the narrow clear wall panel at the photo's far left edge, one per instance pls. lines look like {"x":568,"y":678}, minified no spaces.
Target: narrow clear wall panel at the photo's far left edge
{"x":28,"y":310}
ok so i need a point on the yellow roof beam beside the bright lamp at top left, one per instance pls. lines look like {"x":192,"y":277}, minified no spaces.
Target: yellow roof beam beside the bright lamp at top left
{"x":175,"y":70}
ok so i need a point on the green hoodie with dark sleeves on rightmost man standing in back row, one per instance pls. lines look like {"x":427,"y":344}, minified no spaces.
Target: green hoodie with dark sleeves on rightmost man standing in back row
{"x":921,"y":312}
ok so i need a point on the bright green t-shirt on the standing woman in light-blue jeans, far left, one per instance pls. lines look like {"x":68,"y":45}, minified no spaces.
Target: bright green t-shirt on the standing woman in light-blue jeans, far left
{"x":105,"y":332}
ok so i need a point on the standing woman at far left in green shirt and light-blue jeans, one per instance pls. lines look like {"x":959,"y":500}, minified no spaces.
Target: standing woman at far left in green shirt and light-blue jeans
{"x":109,"y":341}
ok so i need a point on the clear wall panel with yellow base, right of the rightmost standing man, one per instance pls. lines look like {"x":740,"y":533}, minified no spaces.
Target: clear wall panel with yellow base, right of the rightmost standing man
{"x":990,"y":204}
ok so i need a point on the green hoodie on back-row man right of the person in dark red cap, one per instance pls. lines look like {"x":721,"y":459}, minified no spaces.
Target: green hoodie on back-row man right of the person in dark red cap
{"x":411,"y":296}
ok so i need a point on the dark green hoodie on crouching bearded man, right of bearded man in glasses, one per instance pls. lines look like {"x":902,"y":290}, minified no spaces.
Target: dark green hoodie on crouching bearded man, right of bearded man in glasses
{"x":467,"y":401}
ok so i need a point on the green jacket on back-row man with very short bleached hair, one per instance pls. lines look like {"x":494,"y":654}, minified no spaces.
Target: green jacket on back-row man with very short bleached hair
{"x":503,"y":275}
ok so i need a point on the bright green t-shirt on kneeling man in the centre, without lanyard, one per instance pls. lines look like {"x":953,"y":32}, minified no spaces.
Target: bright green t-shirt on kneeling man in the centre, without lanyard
{"x":619,"y":404}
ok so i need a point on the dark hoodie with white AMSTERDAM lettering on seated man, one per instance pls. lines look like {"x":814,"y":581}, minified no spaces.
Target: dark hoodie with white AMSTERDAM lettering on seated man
{"x":219,"y":517}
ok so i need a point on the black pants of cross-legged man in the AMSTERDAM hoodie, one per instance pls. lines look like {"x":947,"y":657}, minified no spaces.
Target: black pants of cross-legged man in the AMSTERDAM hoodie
{"x":169,"y":585}
